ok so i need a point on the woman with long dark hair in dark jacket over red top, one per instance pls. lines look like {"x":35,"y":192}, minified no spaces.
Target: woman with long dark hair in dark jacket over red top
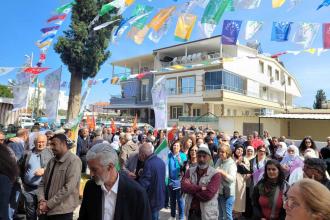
{"x":267,"y":197}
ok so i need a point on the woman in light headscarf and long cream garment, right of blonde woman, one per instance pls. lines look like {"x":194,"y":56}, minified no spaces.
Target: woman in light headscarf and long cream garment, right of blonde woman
{"x":243,"y":166}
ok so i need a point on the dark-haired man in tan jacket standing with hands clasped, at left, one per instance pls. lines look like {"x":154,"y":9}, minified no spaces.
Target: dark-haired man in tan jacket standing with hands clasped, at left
{"x":58,"y":192}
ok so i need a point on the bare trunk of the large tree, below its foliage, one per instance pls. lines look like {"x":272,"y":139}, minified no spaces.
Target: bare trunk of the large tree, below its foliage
{"x":75,"y":96}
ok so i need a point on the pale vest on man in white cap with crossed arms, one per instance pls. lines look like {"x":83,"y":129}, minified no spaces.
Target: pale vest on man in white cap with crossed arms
{"x":209,"y":209}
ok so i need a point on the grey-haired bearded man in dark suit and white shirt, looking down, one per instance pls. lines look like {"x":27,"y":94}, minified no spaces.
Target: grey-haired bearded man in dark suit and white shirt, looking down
{"x":111,"y":195}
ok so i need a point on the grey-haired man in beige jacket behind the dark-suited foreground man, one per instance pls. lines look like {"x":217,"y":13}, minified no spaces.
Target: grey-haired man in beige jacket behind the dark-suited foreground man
{"x":128,"y":147}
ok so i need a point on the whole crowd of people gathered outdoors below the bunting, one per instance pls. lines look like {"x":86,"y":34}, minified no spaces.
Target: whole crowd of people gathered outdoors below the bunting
{"x":203,"y":174}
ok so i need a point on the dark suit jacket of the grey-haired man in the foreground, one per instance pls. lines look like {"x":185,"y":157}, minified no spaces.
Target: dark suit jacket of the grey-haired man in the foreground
{"x":132,"y":201}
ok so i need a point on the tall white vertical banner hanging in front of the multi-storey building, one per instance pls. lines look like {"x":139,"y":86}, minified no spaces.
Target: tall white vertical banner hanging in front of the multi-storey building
{"x":159,"y":102}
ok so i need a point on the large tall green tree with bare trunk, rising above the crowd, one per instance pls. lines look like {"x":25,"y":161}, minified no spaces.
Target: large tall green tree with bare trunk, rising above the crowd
{"x":82,"y":49}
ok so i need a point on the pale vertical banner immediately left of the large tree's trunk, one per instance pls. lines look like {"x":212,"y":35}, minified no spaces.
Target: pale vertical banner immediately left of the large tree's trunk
{"x":52,"y":86}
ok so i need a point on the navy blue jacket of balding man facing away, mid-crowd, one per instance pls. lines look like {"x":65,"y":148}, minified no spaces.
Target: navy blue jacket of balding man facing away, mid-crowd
{"x":153,"y":181}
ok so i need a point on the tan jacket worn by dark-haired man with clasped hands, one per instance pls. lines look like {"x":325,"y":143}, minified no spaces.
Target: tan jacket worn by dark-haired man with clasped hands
{"x":63,"y":196}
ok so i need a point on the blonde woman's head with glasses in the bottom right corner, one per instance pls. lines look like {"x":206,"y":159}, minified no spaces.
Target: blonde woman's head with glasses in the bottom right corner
{"x":307,"y":200}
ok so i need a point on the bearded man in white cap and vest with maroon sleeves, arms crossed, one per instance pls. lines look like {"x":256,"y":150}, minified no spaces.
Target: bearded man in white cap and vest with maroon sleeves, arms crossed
{"x":201,"y":184}
